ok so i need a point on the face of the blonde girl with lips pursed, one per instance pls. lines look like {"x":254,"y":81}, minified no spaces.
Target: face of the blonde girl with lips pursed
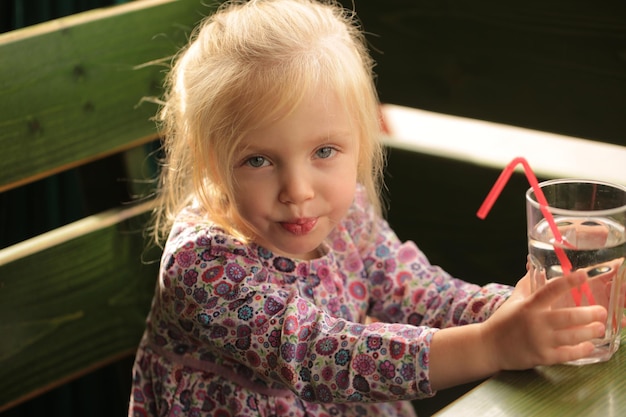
{"x":295,"y":178}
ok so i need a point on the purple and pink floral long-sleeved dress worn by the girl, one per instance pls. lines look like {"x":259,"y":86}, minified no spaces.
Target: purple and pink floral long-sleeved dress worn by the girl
{"x":235,"y":330}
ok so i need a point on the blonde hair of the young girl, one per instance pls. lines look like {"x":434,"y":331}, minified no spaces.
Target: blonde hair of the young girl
{"x":247,"y":64}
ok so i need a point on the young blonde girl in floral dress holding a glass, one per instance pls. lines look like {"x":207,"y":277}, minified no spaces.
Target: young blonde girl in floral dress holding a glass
{"x":277,"y":254}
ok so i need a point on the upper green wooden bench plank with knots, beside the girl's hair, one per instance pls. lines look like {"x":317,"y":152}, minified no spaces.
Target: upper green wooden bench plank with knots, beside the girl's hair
{"x":72,"y":89}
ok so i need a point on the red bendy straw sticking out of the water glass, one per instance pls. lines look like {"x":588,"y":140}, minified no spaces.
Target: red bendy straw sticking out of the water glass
{"x":493,"y":195}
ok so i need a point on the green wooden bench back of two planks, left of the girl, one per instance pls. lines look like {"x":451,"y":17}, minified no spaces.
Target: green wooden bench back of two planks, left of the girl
{"x":71,"y":92}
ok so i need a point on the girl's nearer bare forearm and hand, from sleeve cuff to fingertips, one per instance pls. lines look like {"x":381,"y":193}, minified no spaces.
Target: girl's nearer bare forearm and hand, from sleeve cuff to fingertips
{"x":524,"y":332}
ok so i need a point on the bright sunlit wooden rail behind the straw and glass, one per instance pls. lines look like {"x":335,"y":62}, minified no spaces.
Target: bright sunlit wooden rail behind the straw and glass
{"x":495,"y":145}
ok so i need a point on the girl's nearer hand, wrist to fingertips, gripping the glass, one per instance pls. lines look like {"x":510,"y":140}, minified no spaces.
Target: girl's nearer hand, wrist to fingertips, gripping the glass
{"x":525,"y":331}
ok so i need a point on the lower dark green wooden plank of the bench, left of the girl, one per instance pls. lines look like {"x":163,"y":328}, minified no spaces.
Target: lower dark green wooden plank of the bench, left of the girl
{"x":77,"y":304}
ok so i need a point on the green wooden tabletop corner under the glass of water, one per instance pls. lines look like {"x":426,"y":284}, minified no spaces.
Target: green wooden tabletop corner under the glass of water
{"x":590,"y":390}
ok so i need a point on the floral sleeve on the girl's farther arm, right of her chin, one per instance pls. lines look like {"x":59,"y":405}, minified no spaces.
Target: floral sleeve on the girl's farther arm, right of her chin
{"x":405,"y":288}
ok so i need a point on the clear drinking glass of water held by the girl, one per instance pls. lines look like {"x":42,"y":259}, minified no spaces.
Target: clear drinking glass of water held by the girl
{"x":590,"y":217}
